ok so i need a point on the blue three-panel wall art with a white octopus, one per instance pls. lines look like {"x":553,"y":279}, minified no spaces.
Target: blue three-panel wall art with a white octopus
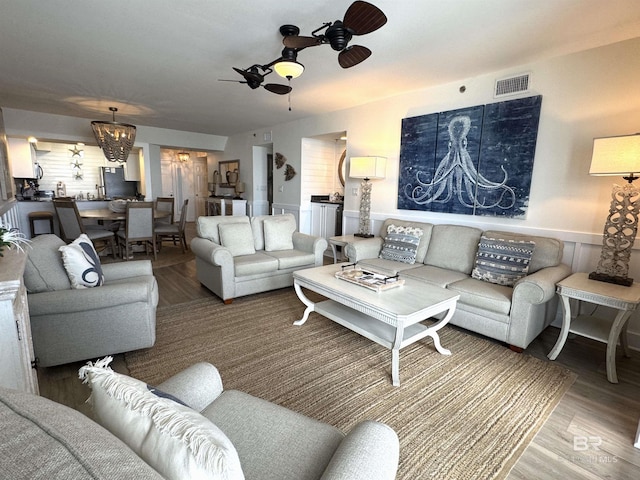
{"x":473,"y":161}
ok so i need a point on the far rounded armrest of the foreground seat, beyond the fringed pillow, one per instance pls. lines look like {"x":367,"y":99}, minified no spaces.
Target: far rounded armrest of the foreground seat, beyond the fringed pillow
{"x":197,"y":386}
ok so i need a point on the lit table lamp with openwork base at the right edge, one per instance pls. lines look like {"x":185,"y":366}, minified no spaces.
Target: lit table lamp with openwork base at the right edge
{"x":618,"y":156}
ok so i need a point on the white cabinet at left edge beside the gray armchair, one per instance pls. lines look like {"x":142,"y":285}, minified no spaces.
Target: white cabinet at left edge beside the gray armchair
{"x":16,"y":347}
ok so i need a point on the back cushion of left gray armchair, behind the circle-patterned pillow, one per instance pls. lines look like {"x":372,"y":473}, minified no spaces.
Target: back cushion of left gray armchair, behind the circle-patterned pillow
{"x":44,"y":271}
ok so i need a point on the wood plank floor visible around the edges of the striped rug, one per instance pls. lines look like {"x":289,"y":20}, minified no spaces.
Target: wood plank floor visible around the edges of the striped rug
{"x":590,"y":434}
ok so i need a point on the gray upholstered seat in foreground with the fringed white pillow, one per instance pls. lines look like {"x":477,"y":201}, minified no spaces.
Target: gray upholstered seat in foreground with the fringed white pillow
{"x":43,"y":440}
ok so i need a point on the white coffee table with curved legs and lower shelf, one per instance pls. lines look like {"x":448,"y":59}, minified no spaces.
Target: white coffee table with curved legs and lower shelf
{"x":390,"y":318}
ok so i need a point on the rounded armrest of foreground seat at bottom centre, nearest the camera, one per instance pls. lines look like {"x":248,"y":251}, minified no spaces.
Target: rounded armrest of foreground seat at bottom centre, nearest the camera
{"x":370,"y":451}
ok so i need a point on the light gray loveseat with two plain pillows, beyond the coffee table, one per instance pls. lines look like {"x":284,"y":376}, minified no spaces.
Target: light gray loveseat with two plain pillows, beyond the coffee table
{"x":240,"y":255}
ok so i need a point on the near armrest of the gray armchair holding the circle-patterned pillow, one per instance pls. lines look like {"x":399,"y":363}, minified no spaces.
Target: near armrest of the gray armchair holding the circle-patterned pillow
{"x":96,"y":298}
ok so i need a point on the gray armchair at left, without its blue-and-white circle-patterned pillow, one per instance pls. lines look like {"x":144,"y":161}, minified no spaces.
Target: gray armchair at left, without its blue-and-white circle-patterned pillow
{"x":69,"y":324}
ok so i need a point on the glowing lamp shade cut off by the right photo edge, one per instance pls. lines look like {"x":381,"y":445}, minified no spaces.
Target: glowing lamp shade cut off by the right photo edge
{"x":616,"y":155}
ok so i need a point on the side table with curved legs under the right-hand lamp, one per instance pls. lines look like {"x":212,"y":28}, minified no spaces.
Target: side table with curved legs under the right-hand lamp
{"x":624,"y":299}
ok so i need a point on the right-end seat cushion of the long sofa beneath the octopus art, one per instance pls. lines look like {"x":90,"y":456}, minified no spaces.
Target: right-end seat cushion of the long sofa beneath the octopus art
{"x":485,"y":295}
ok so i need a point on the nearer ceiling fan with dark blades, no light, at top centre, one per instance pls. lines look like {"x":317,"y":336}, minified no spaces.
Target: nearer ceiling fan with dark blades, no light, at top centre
{"x":361,"y":18}
